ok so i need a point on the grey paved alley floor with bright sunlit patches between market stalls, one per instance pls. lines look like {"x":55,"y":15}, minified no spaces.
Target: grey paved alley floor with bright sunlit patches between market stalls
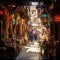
{"x":30,"y":52}
